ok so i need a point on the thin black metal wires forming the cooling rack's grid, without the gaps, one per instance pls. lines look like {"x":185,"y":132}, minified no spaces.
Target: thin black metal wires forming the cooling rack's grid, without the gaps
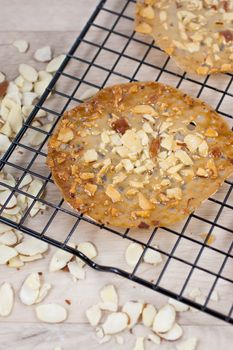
{"x":79,"y":79}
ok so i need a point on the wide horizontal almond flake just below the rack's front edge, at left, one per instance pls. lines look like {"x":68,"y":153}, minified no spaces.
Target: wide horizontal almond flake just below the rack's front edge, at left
{"x":31,"y":246}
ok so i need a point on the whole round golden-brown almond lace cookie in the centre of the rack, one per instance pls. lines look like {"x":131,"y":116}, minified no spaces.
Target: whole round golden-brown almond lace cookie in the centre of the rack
{"x":140,"y":154}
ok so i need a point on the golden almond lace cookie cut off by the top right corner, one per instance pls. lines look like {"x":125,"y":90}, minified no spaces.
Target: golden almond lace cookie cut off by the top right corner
{"x":198,"y":34}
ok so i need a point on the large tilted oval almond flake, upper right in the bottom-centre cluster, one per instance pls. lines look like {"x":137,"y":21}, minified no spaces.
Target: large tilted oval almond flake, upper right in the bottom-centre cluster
{"x":164,"y":319}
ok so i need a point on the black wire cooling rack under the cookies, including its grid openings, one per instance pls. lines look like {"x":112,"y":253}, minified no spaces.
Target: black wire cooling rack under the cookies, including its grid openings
{"x":107,"y":52}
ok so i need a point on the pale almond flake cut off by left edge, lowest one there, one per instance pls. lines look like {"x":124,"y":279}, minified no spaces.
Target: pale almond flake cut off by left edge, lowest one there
{"x":6,"y":299}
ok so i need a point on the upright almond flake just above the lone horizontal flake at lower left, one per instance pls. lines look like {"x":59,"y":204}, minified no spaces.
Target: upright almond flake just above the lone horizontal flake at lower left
{"x":29,"y":291}
